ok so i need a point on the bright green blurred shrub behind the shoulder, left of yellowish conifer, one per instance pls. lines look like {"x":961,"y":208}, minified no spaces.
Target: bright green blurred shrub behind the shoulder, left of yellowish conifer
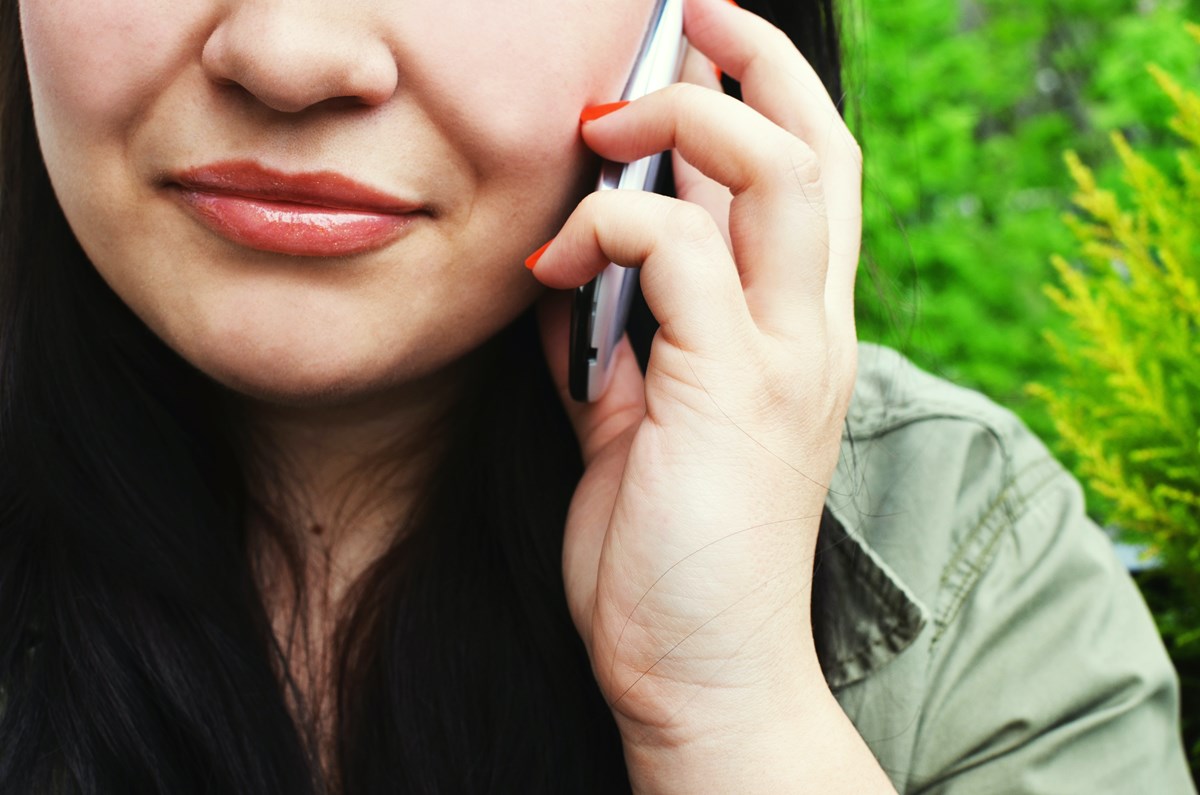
{"x":964,"y":109}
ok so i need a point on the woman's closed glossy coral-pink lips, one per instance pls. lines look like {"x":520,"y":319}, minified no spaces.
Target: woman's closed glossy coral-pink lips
{"x":309,"y":214}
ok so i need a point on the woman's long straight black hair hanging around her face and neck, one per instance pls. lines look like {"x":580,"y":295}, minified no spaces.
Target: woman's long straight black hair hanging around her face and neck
{"x":136,"y":654}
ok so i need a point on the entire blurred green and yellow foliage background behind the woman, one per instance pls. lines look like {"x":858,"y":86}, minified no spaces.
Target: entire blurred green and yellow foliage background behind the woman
{"x":965,"y":110}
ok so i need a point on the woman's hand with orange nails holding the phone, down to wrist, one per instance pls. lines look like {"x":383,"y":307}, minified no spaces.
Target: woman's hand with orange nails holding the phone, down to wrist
{"x":691,"y":539}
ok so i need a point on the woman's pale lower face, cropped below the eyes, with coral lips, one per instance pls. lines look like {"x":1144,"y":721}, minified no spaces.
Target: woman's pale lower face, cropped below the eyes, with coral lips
{"x":313,"y":201}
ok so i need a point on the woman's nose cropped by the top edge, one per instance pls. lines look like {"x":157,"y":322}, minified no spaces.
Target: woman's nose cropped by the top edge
{"x":295,"y":55}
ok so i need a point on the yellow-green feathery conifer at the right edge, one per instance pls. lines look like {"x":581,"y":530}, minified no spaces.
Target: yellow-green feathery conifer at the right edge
{"x":1127,"y":408}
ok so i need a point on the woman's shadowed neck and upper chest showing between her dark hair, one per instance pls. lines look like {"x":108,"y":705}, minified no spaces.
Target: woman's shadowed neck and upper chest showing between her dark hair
{"x":332,"y":487}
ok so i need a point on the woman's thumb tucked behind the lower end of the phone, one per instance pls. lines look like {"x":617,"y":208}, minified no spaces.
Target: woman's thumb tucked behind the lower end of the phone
{"x":622,"y":405}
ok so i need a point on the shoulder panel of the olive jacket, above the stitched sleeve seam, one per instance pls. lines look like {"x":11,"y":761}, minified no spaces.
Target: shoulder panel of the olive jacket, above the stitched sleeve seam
{"x":933,"y":477}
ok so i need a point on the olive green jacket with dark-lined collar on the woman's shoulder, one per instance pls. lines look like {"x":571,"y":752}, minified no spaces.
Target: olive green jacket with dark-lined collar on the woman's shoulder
{"x":980,"y":630}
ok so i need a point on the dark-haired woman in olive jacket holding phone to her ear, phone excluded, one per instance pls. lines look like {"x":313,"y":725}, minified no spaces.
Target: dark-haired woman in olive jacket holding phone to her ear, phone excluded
{"x":291,"y":497}
